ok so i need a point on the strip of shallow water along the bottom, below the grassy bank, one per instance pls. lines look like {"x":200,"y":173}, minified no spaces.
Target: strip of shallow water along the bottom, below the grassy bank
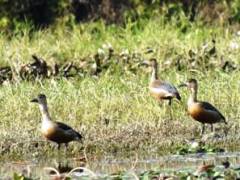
{"x":111,"y":164}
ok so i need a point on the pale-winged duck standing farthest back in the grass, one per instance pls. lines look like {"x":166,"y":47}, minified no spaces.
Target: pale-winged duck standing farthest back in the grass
{"x":159,"y":89}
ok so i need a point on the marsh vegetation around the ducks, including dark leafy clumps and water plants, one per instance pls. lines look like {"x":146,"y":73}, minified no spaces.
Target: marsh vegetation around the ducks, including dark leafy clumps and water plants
{"x":93,"y":76}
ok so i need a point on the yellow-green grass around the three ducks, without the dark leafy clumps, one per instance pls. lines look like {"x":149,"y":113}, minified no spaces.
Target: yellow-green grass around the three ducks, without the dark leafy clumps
{"x":136,"y":121}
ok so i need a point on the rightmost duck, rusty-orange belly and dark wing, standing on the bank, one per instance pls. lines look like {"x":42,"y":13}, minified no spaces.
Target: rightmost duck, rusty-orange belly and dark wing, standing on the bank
{"x":201,"y":111}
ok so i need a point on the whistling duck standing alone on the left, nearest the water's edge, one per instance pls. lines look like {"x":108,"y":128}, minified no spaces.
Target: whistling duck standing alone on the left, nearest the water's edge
{"x":55,"y":131}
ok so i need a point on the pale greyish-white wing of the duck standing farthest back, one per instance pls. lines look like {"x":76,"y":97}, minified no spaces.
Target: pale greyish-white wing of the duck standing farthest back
{"x":166,"y":87}
